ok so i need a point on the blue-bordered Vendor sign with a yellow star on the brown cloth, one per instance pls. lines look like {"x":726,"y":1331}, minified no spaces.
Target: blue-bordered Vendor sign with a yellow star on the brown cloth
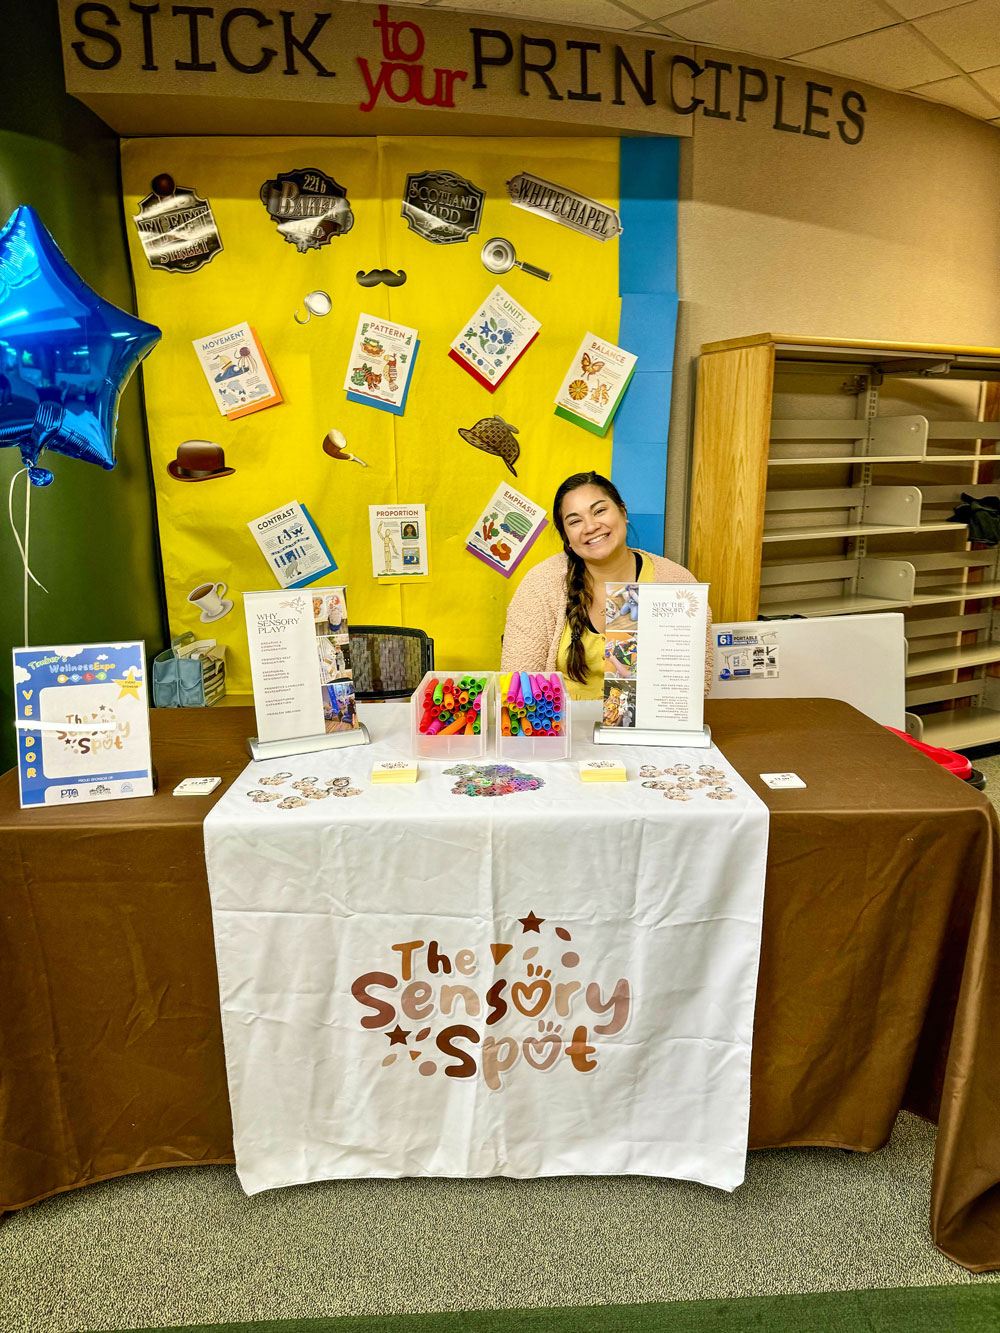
{"x":83,"y":724}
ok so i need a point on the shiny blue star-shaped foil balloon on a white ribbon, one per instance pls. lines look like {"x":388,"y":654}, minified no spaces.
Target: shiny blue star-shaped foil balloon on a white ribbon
{"x":66,"y":354}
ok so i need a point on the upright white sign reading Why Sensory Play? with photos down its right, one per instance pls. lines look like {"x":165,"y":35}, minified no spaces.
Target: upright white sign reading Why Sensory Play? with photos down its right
{"x":291,"y":634}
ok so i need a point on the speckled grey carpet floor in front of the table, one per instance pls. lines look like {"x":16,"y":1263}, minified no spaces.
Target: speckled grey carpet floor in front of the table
{"x":189,"y":1247}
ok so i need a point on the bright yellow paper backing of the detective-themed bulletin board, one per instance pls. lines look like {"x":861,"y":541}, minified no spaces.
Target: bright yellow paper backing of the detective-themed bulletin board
{"x":262,"y":279}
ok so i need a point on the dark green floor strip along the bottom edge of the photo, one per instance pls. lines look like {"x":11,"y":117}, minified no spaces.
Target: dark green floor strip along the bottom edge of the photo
{"x":974,"y":1308}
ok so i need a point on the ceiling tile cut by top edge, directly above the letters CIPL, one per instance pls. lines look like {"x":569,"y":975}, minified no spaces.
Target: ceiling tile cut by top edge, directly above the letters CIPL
{"x":775,"y":27}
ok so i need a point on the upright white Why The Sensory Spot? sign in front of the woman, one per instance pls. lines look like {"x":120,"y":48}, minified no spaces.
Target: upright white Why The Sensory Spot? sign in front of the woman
{"x":655,"y":654}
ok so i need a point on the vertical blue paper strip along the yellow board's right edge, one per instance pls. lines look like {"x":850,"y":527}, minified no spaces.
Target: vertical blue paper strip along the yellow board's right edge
{"x":649,"y":175}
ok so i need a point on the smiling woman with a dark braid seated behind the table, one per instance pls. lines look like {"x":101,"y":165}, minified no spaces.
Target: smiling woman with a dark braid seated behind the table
{"x":557,"y":618}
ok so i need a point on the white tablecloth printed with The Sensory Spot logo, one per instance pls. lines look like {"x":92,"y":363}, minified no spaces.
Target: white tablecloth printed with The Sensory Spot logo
{"x":558,"y":980}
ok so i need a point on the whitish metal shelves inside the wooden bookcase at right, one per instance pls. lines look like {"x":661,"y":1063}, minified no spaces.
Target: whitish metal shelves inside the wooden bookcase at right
{"x":857,"y":521}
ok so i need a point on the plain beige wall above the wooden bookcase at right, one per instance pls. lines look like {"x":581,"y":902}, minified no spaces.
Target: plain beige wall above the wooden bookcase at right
{"x":897,"y":238}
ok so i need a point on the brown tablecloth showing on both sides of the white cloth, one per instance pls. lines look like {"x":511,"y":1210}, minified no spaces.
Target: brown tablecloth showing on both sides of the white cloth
{"x":879,"y":979}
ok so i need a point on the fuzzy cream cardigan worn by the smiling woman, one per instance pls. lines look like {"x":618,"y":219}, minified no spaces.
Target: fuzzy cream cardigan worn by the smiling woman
{"x":537,"y":615}
